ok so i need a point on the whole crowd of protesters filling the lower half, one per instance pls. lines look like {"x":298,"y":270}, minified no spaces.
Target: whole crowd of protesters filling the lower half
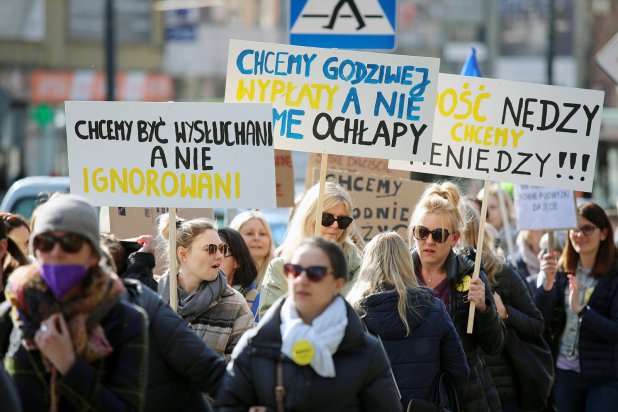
{"x":320,"y":323}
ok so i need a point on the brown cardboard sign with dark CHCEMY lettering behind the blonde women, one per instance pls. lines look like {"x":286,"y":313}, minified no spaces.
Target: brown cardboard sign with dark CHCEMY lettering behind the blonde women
{"x":381,"y":203}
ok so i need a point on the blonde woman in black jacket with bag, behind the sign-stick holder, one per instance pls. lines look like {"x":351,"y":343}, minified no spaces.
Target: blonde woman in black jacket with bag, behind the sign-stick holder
{"x":515,"y":308}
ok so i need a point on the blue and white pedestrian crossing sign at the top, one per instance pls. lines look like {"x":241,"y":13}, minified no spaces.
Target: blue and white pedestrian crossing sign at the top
{"x":344,"y":24}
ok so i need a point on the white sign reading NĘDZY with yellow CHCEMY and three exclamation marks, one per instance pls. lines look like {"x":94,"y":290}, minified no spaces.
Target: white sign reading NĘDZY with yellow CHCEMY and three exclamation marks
{"x":514,"y":132}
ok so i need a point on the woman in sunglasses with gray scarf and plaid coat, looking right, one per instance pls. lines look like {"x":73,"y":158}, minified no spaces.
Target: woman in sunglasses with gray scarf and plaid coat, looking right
{"x":213,"y":309}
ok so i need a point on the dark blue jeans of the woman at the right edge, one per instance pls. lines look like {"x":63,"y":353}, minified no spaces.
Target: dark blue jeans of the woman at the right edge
{"x":576,"y":393}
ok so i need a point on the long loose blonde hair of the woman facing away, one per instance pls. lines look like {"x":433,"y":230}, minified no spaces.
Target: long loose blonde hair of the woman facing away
{"x":387,"y":264}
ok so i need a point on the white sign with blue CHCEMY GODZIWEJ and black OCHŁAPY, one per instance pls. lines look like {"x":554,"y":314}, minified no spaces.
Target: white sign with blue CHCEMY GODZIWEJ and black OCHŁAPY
{"x":336,"y":101}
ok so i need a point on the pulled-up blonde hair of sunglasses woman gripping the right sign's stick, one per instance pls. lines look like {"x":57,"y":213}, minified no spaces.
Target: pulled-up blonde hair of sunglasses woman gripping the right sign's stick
{"x":443,"y":198}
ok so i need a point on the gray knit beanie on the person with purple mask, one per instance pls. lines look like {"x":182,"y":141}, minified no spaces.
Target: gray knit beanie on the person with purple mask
{"x":68,"y":213}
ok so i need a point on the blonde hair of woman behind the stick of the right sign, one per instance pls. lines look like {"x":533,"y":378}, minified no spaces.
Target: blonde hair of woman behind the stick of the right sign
{"x":492,"y":261}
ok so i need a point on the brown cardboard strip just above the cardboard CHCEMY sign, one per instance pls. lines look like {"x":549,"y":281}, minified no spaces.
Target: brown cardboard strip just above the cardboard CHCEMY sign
{"x":352,"y":164}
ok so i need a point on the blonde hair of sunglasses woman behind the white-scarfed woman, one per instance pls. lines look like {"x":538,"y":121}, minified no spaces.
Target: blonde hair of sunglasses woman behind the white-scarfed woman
{"x":303,"y":222}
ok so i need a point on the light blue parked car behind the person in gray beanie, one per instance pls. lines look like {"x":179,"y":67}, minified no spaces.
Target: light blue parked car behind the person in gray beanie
{"x":26,"y":194}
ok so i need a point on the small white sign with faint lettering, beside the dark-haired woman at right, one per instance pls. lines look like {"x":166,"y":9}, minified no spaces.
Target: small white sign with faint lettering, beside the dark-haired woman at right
{"x":541,"y":208}
